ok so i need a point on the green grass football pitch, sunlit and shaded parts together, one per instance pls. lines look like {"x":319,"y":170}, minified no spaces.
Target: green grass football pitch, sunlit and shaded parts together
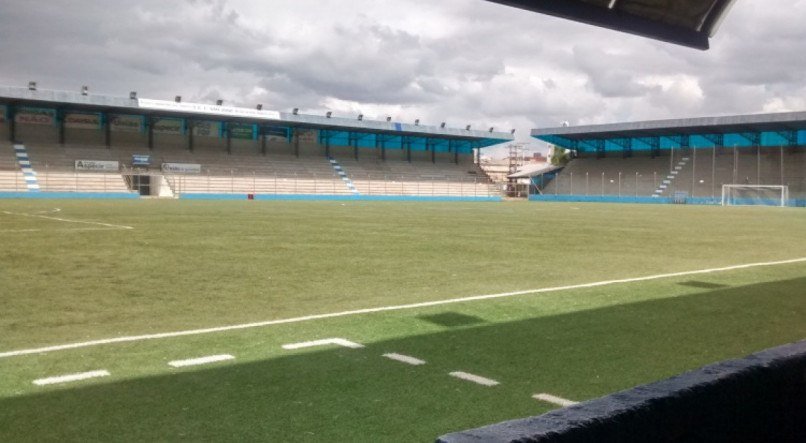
{"x":190,"y":265}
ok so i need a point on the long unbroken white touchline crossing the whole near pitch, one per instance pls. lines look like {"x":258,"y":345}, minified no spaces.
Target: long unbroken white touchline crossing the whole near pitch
{"x":136,"y":338}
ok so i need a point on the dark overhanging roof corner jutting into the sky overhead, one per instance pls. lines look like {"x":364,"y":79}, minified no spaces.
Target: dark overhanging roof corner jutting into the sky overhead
{"x":683,"y":22}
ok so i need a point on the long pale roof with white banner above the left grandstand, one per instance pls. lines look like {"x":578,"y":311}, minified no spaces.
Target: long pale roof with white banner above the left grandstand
{"x":76,"y":101}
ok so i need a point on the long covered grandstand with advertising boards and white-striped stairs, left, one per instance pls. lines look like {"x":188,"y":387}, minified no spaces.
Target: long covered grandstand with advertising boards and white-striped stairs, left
{"x":76,"y":144}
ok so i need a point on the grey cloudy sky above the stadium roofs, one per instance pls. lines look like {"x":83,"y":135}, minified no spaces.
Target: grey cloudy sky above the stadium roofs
{"x":460,"y":61}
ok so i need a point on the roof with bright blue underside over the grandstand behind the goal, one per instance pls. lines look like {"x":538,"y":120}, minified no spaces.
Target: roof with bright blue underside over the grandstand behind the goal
{"x":764,"y":130}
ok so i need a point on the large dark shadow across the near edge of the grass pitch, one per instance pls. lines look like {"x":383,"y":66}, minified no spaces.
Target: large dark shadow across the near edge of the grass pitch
{"x":356,"y":395}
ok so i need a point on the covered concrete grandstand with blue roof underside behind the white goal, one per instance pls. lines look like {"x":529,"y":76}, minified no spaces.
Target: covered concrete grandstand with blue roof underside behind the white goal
{"x":747,"y":159}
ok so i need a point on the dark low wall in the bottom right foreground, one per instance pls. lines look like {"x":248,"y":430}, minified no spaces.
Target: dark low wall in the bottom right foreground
{"x":760,"y":398}
